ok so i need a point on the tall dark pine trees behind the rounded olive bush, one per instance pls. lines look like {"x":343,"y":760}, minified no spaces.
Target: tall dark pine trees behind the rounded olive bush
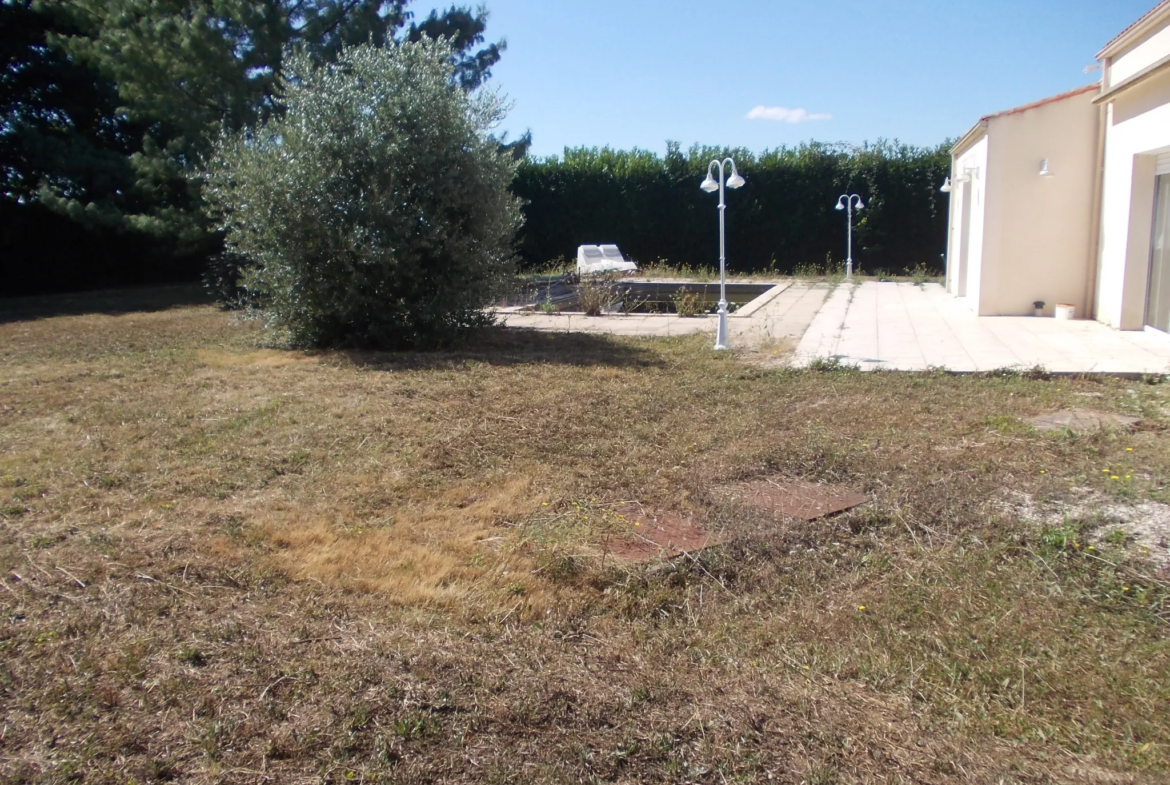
{"x":157,"y":81}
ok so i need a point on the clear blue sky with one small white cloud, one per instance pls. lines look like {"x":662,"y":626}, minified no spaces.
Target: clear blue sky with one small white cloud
{"x":760,"y":74}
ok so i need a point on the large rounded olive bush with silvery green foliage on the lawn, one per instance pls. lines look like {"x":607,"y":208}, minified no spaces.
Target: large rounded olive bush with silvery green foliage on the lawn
{"x":375,"y":210}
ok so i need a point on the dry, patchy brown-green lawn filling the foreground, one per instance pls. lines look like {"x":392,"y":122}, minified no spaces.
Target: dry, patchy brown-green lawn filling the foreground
{"x":228,"y":562}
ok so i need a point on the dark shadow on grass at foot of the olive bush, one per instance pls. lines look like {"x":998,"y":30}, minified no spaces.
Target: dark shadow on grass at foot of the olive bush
{"x":512,"y":347}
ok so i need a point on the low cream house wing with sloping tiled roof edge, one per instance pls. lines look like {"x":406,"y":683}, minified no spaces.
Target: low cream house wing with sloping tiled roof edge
{"x":1022,"y":206}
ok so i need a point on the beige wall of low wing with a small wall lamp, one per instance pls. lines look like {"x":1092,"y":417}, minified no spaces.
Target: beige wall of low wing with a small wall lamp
{"x":1040,"y":230}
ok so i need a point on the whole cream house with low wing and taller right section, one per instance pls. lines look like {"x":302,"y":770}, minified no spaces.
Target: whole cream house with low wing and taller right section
{"x":1068,"y":201}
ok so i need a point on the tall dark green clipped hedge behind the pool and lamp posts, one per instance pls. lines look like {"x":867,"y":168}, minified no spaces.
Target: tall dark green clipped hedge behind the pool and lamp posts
{"x":782,"y":219}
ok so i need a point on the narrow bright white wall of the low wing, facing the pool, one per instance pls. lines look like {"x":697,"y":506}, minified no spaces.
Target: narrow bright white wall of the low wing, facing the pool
{"x":968,"y":206}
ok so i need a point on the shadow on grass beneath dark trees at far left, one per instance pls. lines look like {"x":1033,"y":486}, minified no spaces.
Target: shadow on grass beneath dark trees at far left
{"x":111,"y":302}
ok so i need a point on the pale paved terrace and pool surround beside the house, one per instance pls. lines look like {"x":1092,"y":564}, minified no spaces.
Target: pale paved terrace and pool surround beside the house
{"x":898,"y":327}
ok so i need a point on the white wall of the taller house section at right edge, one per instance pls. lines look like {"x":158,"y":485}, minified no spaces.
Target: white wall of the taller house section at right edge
{"x":1138,"y":128}
